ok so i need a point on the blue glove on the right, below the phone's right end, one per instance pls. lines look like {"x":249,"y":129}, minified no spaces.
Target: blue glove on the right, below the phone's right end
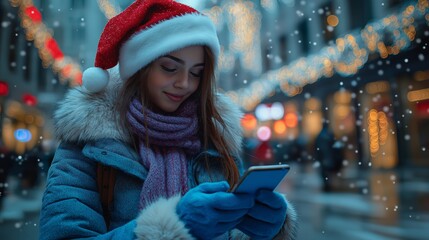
{"x":266,"y":218}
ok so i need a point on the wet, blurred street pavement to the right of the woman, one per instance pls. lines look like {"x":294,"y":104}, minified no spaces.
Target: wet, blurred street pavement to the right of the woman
{"x":381,"y":205}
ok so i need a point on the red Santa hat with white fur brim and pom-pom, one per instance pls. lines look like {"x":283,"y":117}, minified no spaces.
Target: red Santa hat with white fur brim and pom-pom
{"x":145,"y":31}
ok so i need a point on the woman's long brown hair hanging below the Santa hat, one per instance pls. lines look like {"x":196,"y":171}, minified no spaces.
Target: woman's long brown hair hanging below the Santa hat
{"x":209,"y":115}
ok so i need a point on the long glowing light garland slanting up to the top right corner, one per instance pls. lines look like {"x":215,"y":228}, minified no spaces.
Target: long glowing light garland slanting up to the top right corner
{"x":348,"y":55}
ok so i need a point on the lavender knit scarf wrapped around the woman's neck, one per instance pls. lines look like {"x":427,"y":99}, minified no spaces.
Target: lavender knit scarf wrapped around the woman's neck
{"x":170,"y":138}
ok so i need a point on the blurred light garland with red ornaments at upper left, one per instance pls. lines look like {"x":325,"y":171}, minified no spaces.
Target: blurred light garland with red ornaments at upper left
{"x":49,"y":51}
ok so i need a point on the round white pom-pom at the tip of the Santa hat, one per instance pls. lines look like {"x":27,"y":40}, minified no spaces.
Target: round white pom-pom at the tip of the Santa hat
{"x":95,"y":79}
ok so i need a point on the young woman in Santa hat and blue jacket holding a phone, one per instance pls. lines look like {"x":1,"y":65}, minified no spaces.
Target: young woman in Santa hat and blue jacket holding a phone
{"x":172,"y":141}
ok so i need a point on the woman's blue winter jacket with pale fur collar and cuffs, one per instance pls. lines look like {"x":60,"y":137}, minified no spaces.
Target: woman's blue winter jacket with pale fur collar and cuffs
{"x":89,"y":134}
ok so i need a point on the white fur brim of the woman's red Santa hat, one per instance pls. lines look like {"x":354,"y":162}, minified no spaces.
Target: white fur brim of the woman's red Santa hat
{"x":165,"y":37}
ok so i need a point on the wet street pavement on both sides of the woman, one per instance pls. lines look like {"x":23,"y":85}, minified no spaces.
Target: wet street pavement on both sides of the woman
{"x":363,"y":205}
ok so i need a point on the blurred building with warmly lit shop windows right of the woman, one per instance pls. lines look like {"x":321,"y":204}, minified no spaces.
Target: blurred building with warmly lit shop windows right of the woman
{"x":379,"y":110}
